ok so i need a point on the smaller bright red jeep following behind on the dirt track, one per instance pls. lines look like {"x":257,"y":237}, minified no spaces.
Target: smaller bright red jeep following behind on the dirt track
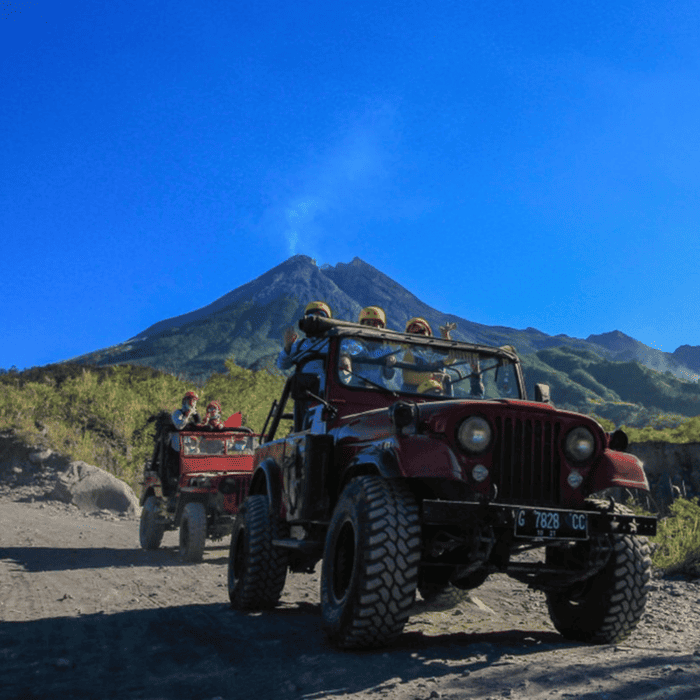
{"x":202,"y":492}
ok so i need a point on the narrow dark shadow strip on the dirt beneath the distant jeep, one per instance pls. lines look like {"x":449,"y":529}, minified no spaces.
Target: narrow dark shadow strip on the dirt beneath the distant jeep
{"x":70,"y":558}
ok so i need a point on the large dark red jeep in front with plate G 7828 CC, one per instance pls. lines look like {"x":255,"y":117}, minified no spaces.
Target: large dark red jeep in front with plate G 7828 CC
{"x":419,"y":464}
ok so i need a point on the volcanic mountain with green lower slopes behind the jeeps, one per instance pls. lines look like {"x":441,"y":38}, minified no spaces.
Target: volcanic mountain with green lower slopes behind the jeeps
{"x":609,"y":374}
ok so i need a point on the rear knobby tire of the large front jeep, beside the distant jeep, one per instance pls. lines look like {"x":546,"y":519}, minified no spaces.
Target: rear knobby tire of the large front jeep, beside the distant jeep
{"x":256,"y":570}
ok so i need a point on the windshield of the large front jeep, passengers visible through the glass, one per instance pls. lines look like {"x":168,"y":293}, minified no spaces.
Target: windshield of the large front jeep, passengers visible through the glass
{"x":431,"y":369}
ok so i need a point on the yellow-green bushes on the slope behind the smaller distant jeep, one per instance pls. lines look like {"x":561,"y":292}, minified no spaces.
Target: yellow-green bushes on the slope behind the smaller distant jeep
{"x":100,"y":414}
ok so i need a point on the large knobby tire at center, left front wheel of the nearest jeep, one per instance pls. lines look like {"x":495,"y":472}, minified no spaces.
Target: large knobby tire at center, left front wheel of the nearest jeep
{"x":370,"y":564}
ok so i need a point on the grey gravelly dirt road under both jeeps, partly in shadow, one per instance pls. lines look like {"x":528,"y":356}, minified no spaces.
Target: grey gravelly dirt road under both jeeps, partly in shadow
{"x":87,"y":614}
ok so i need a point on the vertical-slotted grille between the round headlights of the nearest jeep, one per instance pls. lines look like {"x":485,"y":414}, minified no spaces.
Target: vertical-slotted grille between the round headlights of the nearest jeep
{"x":526,"y":464}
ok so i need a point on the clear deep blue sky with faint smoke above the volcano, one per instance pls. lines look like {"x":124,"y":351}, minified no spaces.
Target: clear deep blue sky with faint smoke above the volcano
{"x":517,"y":164}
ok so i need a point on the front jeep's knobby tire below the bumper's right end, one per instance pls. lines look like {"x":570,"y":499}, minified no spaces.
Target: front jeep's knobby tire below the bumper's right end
{"x":607,"y":607}
